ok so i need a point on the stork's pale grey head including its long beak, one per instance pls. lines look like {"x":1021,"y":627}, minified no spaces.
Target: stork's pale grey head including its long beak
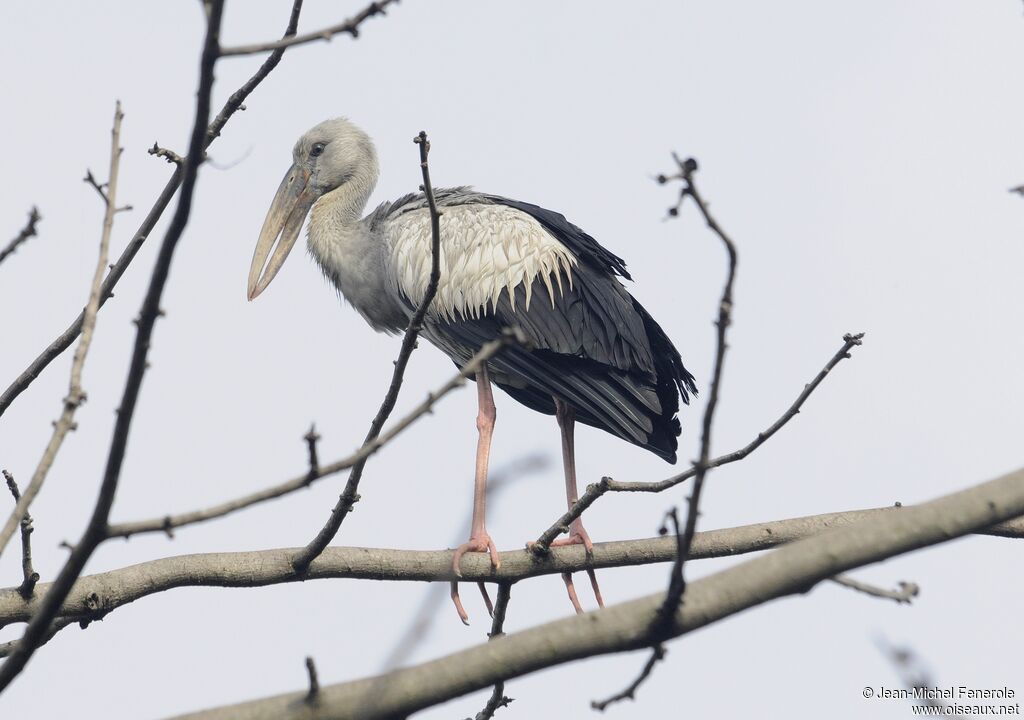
{"x":333,"y":156}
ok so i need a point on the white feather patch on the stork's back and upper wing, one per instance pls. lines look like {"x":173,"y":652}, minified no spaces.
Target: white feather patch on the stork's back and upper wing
{"x":485,"y":249}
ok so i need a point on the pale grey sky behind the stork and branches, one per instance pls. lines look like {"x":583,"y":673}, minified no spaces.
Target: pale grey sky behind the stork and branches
{"x":860,"y":154}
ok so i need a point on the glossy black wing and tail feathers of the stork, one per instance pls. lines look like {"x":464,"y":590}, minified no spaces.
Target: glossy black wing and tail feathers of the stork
{"x":595,"y":348}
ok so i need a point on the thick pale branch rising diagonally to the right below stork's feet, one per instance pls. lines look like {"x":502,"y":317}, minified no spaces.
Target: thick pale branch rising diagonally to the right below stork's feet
{"x":789,"y":571}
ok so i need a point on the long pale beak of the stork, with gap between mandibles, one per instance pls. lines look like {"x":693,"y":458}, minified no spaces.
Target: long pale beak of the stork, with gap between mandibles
{"x":285,"y":218}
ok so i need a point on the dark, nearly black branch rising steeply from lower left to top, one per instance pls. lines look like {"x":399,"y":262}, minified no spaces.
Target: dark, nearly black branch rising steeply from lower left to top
{"x":96,"y":532}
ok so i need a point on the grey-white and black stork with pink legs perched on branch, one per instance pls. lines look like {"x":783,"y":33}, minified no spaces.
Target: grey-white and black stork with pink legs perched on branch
{"x":592,"y":354}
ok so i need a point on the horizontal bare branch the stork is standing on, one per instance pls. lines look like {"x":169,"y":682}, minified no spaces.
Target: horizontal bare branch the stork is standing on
{"x":108,"y":591}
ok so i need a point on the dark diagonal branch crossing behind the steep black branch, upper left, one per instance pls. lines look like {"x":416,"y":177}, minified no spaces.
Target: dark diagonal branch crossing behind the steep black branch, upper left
{"x":65,"y":341}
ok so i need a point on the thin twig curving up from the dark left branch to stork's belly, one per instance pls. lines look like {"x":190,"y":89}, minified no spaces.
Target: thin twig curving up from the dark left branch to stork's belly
{"x":168,"y":523}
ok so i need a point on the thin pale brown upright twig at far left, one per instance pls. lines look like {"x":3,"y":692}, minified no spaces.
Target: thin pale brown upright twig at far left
{"x":76,"y":396}
